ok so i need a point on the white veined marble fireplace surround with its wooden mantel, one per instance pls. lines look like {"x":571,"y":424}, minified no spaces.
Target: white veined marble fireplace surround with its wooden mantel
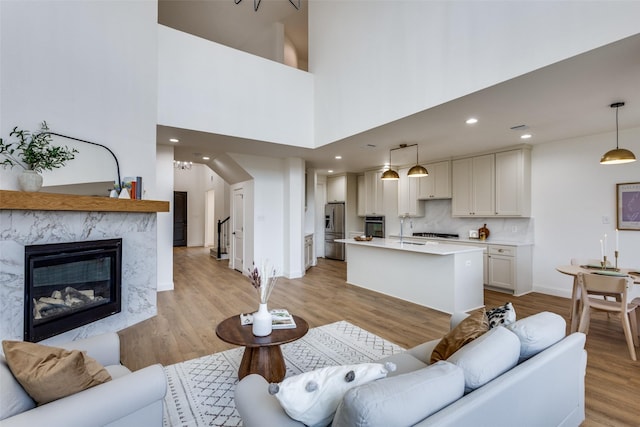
{"x":40,"y":218}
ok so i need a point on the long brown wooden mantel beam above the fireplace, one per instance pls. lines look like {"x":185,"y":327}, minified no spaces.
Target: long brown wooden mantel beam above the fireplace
{"x":21,"y":200}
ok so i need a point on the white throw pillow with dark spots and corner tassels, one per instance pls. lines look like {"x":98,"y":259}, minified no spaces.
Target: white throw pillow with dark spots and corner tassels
{"x":313,"y":397}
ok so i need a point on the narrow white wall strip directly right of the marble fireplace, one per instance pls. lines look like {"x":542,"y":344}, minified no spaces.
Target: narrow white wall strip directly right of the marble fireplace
{"x":164,"y":169}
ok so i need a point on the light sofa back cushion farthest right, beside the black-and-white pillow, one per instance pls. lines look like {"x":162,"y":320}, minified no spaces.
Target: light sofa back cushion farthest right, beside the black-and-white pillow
{"x":537,"y":332}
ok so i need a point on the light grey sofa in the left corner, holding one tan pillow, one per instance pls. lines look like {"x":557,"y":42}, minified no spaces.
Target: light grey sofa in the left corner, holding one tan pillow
{"x":130,"y":399}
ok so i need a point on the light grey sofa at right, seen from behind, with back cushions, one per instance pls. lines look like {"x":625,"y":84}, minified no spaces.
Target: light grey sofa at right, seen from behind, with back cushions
{"x":544,"y":388}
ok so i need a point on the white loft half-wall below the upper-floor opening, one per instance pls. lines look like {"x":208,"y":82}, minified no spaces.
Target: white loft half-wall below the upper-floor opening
{"x":209,"y":87}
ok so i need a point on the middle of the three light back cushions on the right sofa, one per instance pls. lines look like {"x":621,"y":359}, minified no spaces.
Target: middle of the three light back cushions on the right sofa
{"x":487,"y":357}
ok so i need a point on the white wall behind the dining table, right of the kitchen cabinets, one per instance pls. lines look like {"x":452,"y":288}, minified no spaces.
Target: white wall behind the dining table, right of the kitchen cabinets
{"x":571,"y":192}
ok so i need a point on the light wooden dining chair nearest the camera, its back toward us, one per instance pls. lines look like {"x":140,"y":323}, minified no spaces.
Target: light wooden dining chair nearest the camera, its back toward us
{"x":592,"y":287}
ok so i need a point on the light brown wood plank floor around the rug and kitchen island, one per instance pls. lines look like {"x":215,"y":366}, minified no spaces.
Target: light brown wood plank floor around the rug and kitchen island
{"x":207,"y":291}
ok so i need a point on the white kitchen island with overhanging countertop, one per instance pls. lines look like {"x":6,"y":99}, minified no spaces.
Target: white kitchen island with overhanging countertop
{"x":437,"y":275}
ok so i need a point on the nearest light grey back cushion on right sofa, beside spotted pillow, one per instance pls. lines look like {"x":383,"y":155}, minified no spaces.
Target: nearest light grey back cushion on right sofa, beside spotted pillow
{"x":401,"y":400}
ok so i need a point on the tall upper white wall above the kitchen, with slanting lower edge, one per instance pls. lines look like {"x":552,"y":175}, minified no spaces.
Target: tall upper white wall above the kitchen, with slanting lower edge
{"x":377,"y":61}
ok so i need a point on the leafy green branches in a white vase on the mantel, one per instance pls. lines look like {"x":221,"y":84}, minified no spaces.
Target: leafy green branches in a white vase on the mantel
{"x":34,"y":152}
